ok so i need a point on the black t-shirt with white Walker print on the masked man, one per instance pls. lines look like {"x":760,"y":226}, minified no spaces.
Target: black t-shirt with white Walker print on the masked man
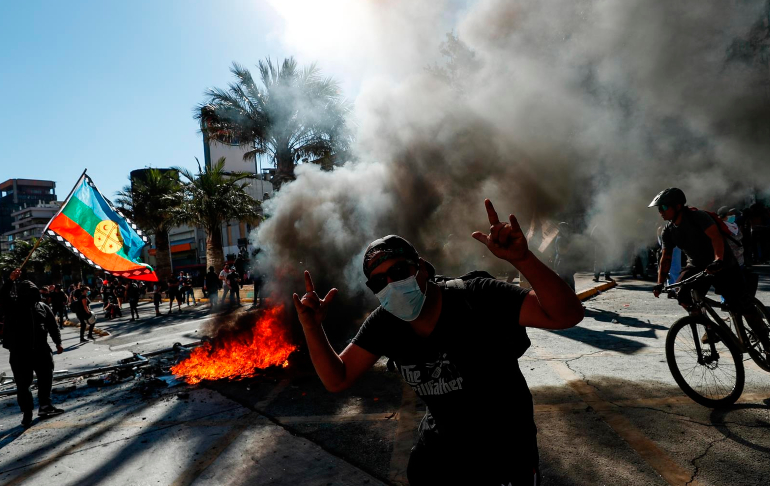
{"x":467,"y":364}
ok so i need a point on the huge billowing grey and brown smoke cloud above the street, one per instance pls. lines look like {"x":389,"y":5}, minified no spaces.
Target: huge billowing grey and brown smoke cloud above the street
{"x":579,"y":111}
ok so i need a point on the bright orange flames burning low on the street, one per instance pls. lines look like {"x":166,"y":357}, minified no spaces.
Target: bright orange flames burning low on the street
{"x":240,"y":356}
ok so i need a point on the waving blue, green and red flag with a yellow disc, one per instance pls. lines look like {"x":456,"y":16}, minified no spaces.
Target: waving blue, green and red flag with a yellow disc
{"x":90,"y":226}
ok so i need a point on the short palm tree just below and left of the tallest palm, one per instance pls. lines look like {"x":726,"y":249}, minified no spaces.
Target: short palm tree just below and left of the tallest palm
{"x":212,"y":197}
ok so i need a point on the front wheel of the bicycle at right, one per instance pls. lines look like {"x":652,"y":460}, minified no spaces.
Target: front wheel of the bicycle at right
{"x":712,"y":376}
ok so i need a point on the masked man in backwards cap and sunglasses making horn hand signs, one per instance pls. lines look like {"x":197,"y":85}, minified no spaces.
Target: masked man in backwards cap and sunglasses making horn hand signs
{"x":457,"y":347}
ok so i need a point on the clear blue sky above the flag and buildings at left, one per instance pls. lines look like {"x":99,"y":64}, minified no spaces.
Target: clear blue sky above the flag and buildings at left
{"x":111,"y":86}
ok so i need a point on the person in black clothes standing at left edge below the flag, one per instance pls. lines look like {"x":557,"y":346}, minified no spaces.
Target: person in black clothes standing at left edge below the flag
{"x":28,"y":322}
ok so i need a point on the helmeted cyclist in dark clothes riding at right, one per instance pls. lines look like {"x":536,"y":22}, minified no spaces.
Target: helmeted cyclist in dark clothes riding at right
{"x":697,"y":234}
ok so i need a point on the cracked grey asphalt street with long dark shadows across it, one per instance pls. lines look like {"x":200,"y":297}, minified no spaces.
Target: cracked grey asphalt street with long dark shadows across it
{"x":607,"y":410}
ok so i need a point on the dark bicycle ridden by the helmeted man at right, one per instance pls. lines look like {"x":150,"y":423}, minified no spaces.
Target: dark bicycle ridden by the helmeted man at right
{"x":716,"y":377}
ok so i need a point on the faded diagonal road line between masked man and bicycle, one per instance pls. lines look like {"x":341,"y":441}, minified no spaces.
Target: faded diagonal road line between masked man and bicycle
{"x":653,"y":455}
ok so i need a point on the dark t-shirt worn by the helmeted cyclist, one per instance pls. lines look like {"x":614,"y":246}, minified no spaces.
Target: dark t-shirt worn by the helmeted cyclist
{"x":690,"y":236}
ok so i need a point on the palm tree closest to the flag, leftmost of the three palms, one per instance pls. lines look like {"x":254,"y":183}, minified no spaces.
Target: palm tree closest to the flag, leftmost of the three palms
{"x":150,"y":202}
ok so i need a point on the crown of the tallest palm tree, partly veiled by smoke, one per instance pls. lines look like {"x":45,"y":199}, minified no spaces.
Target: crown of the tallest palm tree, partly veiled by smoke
{"x":294,"y":114}
